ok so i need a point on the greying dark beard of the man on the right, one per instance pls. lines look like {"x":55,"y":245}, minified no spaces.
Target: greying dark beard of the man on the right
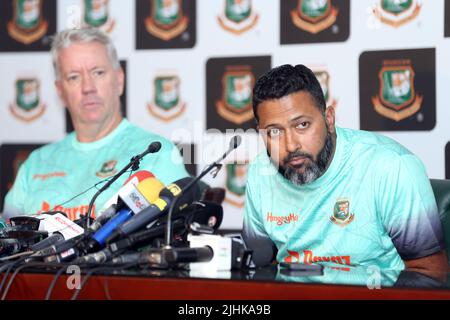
{"x":312,"y":169}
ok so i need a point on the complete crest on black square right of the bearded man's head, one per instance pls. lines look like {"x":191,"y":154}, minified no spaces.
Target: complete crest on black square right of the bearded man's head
{"x":397,"y":98}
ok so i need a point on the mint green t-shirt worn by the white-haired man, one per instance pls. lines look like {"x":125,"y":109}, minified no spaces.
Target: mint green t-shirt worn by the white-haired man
{"x":55,"y":173}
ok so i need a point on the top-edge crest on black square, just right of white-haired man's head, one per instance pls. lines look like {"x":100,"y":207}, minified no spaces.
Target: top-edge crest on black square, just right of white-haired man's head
{"x":167,"y":19}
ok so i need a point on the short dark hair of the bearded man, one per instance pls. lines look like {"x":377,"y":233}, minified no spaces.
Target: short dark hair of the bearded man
{"x":284,"y":80}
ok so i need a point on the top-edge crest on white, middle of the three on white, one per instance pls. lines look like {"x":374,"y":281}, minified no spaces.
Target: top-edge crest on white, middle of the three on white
{"x":238,"y":16}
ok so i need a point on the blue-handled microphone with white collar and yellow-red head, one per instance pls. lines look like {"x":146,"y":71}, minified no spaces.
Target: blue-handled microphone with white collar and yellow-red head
{"x":135,"y":199}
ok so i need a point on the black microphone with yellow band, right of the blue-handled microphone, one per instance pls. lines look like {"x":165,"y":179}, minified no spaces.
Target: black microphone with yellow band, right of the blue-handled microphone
{"x":158,"y":207}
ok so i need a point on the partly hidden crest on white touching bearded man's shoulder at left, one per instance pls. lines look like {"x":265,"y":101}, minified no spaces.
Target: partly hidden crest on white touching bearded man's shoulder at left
{"x":236,"y":179}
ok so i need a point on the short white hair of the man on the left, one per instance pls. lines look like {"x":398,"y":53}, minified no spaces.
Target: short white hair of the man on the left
{"x":67,"y":37}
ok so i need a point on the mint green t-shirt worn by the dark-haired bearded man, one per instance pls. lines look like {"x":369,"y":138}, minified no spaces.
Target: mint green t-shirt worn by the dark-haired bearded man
{"x":373,"y":206}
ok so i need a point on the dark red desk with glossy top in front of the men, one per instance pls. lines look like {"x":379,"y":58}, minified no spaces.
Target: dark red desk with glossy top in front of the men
{"x":263,"y":284}
